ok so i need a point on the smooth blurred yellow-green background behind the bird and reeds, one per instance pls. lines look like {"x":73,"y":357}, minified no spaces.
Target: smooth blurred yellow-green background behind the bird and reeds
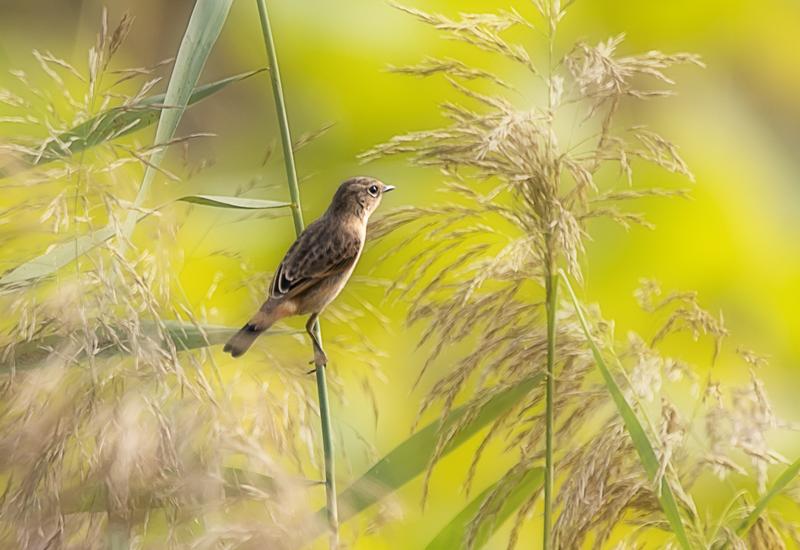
{"x":737,"y":122}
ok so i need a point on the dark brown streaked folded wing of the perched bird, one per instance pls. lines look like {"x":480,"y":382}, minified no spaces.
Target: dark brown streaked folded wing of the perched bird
{"x":316,"y":254}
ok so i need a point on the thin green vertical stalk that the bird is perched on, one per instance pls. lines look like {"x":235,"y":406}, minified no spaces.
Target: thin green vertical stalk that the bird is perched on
{"x":297,"y":216}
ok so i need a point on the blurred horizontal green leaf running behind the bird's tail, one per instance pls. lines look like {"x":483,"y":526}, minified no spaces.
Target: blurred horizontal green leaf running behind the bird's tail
{"x":183,"y":335}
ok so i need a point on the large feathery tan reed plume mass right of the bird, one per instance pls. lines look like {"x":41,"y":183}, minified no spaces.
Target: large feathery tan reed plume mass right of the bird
{"x":523,"y":174}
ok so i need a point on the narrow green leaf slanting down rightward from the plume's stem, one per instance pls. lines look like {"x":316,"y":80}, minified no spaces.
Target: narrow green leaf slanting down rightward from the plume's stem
{"x":644,"y":448}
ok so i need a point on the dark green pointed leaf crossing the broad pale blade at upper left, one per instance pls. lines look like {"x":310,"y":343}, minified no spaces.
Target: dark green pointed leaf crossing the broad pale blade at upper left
{"x":121,"y":121}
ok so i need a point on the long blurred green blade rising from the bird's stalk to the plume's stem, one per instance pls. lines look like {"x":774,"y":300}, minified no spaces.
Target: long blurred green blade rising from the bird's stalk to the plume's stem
{"x":410,"y":458}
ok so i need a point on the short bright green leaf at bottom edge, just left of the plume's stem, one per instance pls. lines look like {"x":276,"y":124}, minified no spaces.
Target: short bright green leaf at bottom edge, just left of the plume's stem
{"x":453,"y":535}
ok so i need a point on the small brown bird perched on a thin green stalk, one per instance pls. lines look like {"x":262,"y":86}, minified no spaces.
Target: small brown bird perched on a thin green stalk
{"x":317,"y":265}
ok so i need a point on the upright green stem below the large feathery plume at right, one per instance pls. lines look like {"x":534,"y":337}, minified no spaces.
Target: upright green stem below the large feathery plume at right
{"x":551,"y":292}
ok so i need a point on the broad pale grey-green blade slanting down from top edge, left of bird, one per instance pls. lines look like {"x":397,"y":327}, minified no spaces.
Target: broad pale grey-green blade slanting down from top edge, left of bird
{"x":202,"y":32}
